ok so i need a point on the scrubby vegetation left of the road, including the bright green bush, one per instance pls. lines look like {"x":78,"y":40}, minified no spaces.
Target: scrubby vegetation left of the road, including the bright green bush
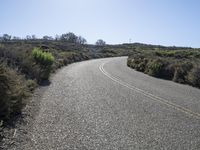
{"x":29,"y":62}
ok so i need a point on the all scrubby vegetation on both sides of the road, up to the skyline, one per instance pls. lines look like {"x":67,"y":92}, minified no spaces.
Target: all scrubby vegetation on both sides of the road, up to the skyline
{"x":29,"y":62}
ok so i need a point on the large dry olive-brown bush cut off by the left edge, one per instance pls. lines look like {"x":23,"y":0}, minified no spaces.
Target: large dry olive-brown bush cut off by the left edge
{"x":12,"y":92}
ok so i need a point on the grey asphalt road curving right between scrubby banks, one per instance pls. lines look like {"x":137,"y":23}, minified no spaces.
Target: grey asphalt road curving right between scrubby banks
{"x":102,"y":104}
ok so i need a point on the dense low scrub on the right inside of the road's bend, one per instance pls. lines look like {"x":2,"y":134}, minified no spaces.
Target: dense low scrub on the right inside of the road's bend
{"x":172,"y":63}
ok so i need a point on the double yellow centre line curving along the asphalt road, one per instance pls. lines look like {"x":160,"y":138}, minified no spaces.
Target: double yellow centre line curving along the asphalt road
{"x":149,"y":95}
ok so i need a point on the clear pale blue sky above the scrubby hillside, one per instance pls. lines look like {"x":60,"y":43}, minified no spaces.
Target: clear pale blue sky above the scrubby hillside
{"x":164,"y":22}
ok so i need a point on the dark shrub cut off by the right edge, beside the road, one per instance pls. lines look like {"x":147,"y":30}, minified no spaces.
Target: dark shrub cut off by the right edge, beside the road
{"x":194,"y":77}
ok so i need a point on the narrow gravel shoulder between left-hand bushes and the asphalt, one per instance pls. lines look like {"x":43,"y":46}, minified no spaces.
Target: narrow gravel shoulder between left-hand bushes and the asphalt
{"x":18,"y":133}
